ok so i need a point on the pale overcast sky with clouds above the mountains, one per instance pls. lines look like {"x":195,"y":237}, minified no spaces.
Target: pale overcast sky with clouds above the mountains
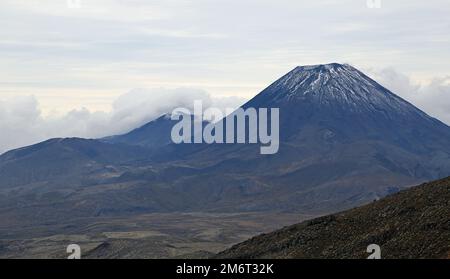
{"x":59,"y":60}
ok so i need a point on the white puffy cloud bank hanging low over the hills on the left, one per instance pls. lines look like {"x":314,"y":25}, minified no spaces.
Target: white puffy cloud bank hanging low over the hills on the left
{"x":22,"y":122}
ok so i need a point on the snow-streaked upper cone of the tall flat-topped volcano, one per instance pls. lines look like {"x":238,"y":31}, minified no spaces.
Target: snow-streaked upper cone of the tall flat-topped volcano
{"x":335,"y":86}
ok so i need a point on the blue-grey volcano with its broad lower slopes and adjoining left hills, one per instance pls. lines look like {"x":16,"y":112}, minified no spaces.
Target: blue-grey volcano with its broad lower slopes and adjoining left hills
{"x":345,"y":141}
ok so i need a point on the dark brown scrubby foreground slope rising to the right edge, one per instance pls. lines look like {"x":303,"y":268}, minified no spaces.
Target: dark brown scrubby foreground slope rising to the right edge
{"x":410,"y":224}
